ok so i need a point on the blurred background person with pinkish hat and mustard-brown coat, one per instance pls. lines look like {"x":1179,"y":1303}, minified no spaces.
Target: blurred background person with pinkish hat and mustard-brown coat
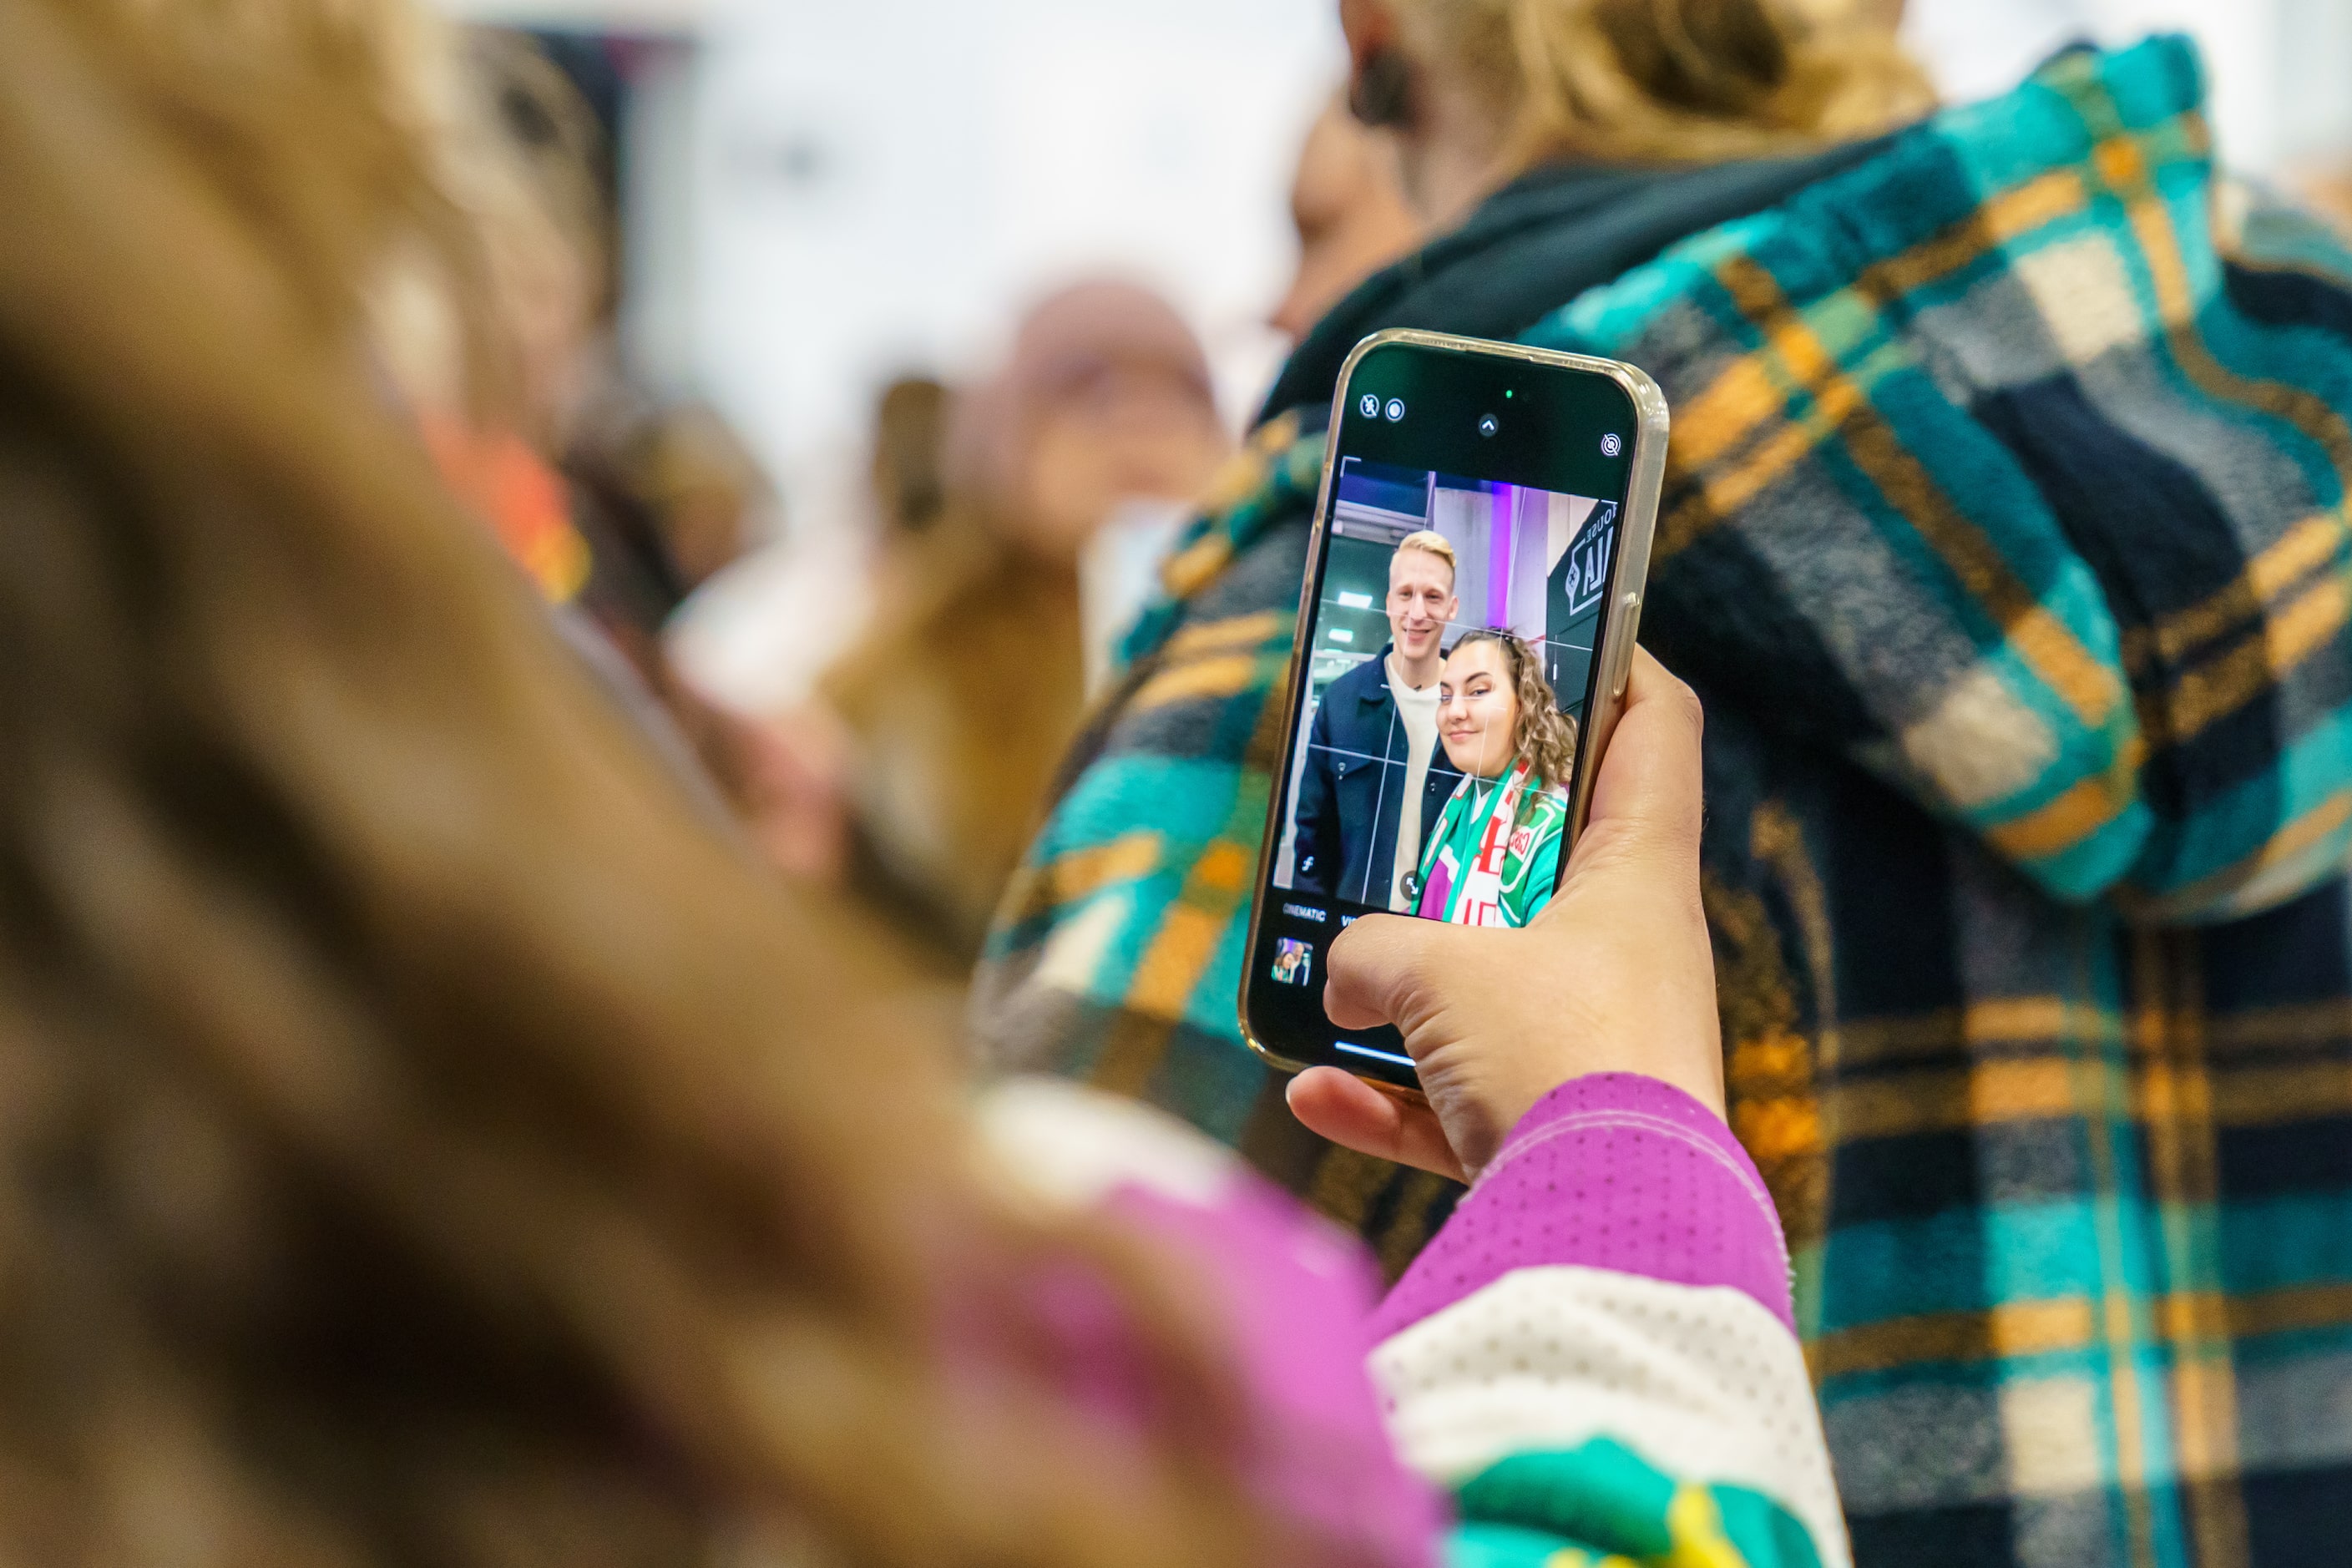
{"x":961,"y":699}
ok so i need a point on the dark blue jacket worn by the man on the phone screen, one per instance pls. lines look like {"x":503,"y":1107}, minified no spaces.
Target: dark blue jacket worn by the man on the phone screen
{"x":1351,"y":793}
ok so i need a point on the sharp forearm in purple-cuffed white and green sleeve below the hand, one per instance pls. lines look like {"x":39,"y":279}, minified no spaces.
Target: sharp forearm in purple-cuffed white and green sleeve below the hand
{"x":1603,"y":1332}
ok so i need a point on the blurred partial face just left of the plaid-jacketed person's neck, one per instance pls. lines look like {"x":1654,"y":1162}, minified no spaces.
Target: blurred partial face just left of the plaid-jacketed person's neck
{"x":1349,"y":210}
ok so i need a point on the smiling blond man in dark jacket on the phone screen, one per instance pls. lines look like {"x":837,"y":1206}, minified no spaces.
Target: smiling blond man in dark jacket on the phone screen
{"x":1375,"y":775}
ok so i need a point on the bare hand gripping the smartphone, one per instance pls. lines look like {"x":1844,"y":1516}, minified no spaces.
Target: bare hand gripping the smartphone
{"x":1615,"y":977}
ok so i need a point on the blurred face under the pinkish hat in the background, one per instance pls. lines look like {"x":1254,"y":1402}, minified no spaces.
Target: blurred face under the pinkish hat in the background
{"x":1132,"y":434}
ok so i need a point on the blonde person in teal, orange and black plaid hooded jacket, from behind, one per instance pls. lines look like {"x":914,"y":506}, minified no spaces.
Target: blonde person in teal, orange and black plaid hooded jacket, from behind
{"x":2005,"y":540}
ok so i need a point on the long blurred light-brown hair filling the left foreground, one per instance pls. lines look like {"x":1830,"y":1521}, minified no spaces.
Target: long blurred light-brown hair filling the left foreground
{"x":422,"y":1141}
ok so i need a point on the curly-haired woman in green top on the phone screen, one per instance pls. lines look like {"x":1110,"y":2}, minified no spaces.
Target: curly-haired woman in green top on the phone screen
{"x":1495,"y":855}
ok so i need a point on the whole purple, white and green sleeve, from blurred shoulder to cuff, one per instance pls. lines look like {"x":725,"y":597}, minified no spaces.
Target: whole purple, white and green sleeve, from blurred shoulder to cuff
{"x":1593,"y":1353}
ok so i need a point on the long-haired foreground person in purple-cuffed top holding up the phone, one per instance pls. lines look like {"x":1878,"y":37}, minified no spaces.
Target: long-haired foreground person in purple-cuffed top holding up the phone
{"x":429,"y":1144}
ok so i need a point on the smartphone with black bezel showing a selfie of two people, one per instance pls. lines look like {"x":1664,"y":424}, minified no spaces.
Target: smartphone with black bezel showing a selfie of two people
{"x":1464,"y":638}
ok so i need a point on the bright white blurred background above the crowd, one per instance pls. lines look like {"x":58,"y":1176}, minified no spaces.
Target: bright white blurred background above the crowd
{"x":824,"y":194}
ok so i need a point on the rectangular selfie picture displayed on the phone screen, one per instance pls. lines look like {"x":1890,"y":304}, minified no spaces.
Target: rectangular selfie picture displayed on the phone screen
{"x":1450,"y":664}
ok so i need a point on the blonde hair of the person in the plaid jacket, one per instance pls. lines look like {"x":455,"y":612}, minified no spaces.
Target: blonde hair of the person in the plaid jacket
{"x":1676,"y":81}
